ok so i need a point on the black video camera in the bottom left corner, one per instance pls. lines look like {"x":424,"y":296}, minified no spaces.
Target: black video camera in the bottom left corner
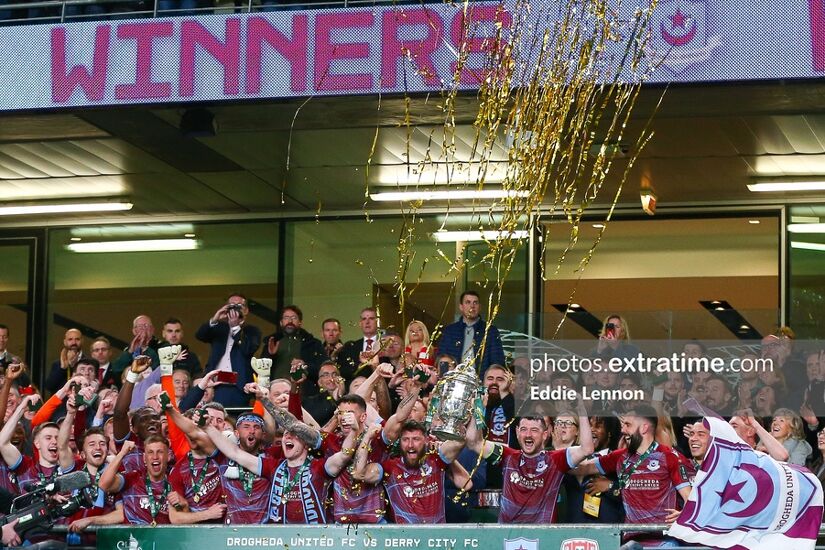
{"x":37,"y":511}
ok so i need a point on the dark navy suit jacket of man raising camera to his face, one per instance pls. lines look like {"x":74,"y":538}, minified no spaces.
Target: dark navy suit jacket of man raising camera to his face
{"x":247,"y":341}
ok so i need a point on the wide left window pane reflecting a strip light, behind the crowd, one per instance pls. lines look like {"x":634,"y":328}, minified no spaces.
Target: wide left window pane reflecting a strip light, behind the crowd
{"x":103,"y":292}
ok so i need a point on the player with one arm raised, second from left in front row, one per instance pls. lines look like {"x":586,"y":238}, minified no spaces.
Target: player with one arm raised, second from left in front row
{"x":93,"y":445}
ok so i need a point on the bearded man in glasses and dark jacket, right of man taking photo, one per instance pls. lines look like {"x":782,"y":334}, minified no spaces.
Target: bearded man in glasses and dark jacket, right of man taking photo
{"x":293,"y":347}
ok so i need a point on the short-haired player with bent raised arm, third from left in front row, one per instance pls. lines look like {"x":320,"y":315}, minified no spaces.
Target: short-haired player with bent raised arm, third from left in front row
{"x":145,"y":491}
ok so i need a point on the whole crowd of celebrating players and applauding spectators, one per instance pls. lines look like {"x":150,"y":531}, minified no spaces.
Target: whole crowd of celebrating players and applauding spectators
{"x":338,"y":431}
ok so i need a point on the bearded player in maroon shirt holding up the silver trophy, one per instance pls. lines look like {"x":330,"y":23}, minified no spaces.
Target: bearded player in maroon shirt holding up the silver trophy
{"x":414,"y":481}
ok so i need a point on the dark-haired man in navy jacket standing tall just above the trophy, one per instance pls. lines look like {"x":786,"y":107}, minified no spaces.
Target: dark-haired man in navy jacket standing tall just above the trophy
{"x":471,"y":339}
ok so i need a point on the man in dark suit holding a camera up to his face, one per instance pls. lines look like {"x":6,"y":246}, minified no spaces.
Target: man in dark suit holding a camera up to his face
{"x":233,"y":343}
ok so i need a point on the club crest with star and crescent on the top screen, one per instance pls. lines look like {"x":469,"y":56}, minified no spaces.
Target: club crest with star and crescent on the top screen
{"x":681,"y":38}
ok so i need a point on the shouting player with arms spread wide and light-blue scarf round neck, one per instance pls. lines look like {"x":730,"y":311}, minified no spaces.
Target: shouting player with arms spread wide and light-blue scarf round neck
{"x":299,"y":483}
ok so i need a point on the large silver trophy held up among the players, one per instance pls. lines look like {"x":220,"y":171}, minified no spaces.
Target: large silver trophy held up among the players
{"x":453,"y":401}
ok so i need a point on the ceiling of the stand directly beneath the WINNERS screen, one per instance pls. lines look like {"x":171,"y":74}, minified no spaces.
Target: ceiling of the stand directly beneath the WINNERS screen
{"x":709,"y":142}
